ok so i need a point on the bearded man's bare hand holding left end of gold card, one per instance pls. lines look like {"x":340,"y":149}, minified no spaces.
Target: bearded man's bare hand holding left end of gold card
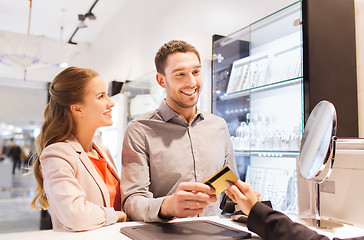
{"x":189,"y":199}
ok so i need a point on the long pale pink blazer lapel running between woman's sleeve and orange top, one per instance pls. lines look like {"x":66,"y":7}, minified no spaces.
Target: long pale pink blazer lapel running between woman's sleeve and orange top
{"x":91,"y":169}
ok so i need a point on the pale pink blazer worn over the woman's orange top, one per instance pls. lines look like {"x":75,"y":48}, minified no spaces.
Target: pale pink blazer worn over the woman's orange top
{"x":78,"y":197}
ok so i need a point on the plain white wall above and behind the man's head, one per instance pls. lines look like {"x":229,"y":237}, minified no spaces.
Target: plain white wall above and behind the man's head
{"x":126,"y":48}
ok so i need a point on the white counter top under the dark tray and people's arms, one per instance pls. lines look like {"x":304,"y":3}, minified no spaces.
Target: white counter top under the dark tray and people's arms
{"x":113,"y":231}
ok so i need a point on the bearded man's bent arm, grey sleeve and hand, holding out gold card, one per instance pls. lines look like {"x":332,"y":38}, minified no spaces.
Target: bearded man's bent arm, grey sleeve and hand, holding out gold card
{"x":138,"y":202}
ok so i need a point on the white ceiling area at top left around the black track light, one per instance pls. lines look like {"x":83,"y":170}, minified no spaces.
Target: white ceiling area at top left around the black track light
{"x":48,"y":17}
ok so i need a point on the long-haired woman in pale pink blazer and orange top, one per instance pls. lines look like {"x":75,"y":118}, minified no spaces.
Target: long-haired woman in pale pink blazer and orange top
{"x":77,"y":178}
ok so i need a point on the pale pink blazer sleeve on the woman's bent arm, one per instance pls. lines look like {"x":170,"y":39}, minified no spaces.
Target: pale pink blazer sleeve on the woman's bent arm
{"x":65,"y":194}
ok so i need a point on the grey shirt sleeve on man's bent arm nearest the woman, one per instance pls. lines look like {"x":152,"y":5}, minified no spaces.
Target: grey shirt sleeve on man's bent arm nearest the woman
{"x":138,"y":202}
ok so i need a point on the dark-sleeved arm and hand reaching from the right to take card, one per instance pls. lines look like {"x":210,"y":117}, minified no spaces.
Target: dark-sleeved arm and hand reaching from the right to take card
{"x":266,"y":222}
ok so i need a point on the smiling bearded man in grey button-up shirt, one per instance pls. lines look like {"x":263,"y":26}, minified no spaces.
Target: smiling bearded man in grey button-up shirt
{"x":168,"y":153}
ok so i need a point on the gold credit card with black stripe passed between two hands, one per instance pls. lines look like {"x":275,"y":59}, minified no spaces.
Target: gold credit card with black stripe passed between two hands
{"x":217,"y":181}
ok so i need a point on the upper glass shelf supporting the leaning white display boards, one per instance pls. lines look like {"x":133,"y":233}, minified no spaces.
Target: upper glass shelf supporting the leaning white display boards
{"x":247,"y":92}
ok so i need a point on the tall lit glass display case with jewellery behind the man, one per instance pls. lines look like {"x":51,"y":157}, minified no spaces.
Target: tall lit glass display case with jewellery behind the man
{"x":257,"y":87}
